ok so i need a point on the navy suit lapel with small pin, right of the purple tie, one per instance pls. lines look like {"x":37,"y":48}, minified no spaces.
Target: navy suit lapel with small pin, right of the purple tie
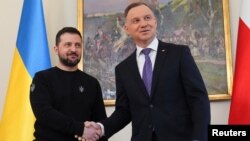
{"x":159,"y":61}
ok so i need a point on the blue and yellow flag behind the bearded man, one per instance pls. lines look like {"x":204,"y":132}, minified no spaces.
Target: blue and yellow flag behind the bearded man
{"x":31,"y":55}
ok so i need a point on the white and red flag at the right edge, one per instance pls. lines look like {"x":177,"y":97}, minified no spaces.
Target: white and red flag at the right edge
{"x":240,"y":102}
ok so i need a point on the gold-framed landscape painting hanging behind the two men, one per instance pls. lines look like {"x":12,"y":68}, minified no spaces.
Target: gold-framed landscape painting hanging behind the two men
{"x":203,"y":25}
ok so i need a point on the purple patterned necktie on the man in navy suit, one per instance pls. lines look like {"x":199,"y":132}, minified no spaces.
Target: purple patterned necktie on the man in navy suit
{"x":147,"y":70}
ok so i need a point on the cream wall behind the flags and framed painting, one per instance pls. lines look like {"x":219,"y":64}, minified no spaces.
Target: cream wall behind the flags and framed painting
{"x":59,"y":13}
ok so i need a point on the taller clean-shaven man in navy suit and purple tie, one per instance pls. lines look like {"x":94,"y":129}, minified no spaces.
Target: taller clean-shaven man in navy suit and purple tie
{"x":176,"y":107}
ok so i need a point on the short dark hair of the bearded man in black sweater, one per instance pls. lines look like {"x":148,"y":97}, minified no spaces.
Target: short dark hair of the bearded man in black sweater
{"x":66,"y":30}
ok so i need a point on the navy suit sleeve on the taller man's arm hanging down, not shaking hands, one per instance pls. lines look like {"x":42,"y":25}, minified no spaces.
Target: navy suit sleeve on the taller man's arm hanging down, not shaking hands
{"x":196,"y":95}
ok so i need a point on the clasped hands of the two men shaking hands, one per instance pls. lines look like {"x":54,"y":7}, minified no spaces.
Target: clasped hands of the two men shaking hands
{"x":92,"y":132}
